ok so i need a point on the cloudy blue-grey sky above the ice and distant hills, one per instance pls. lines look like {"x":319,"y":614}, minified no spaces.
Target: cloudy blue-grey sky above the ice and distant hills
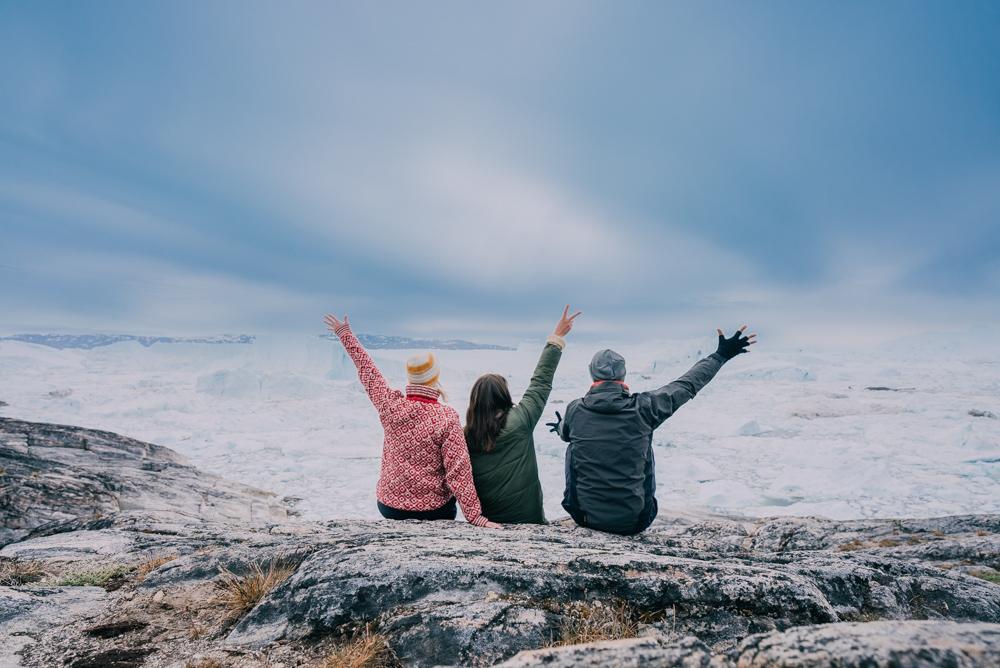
{"x":818,"y":169}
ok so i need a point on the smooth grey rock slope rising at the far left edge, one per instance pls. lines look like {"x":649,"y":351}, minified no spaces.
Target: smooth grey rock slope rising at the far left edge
{"x":53,"y":473}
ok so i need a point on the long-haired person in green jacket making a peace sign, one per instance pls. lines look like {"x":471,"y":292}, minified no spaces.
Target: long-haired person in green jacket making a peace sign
{"x":499,"y":436}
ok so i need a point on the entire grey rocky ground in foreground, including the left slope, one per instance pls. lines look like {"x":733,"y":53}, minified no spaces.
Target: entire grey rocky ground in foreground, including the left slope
{"x":698,"y":591}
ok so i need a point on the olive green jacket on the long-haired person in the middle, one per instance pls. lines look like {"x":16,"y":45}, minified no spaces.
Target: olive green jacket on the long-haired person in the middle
{"x":507,"y":477}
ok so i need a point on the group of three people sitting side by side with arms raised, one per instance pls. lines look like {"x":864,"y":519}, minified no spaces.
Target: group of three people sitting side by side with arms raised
{"x":429,"y":461}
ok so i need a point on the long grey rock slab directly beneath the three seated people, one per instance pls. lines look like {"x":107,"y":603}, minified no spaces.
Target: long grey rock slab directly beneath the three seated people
{"x":356,"y":574}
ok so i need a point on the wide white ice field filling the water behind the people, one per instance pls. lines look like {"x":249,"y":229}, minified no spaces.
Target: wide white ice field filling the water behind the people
{"x":777,"y":432}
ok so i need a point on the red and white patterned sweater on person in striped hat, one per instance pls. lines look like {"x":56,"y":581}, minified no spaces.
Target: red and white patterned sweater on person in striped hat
{"x":424,"y":454}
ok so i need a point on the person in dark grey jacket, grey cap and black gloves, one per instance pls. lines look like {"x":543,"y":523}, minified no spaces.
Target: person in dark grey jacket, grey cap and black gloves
{"x":610,"y":472}
